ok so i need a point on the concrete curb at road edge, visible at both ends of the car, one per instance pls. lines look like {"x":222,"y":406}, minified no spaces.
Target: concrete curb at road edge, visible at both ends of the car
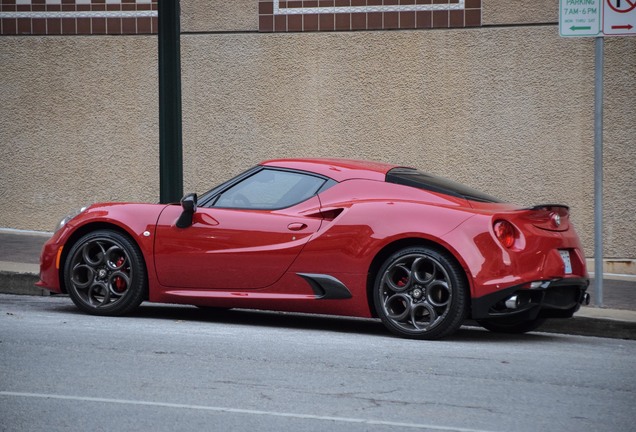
{"x":20,"y":283}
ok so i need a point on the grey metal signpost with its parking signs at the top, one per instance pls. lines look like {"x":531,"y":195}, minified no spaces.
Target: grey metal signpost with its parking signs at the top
{"x":597,"y":18}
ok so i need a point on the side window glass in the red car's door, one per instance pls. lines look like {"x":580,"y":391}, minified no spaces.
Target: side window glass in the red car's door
{"x":270,"y":189}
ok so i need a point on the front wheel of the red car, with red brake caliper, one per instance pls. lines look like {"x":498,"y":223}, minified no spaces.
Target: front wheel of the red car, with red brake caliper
{"x":105,"y":274}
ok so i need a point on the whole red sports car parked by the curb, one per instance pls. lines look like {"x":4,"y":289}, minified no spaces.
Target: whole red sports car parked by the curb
{"x":327,"y":236}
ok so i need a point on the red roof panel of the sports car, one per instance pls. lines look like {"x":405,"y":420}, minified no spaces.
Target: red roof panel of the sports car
{"x":337,"y":169}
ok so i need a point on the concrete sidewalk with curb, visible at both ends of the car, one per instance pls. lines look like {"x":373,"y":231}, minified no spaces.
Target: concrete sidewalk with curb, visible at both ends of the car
{"x":19,"y":269}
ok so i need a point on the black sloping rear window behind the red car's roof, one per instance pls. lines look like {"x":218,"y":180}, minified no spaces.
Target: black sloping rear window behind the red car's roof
{"x":421,"y":180}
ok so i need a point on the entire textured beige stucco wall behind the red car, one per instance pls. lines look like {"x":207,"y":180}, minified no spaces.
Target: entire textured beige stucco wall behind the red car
{"x":506,"y":109}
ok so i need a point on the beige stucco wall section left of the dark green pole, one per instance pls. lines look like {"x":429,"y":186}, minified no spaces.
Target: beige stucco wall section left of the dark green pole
{"x":78,"y":125}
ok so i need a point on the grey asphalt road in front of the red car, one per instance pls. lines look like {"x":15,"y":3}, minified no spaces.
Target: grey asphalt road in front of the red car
{"x":180,"y":368}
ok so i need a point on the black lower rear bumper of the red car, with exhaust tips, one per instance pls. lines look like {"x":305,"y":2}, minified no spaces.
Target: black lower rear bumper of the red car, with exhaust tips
{"x":554,"y":298}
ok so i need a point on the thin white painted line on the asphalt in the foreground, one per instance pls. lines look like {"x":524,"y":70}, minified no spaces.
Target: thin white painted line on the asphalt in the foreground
{"x":240,"y":411}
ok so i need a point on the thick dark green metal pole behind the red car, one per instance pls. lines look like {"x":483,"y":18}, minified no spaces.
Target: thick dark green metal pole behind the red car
{"x":170,"y":130}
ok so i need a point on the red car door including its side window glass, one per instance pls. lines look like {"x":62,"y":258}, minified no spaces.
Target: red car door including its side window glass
{"x":247,"y":236}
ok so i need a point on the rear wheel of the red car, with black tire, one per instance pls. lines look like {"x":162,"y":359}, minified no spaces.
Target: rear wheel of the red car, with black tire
{"x":421,"y":293}
